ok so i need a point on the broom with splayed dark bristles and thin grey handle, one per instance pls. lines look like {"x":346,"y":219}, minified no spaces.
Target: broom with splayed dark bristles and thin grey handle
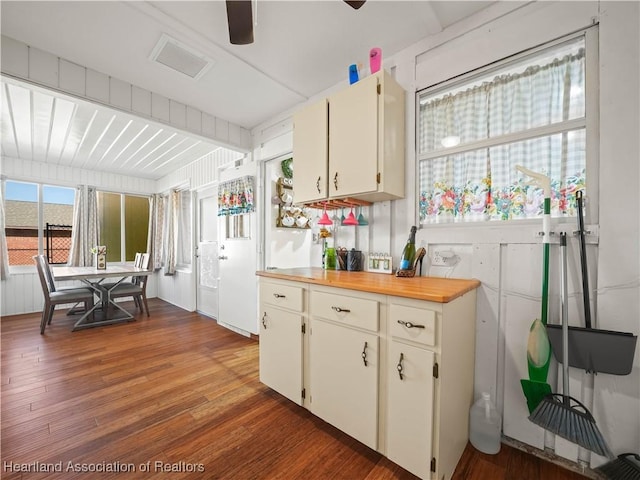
{"x":562,"y":414}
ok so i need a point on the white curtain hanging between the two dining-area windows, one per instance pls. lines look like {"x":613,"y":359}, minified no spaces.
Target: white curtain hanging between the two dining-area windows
{"x":86,"y":228}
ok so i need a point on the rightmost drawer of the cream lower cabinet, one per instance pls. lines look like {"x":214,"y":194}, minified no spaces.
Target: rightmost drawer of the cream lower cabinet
{"x":411,"y":323}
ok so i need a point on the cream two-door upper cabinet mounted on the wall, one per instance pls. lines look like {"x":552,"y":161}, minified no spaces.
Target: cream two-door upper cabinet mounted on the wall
{"x":352,"y":144}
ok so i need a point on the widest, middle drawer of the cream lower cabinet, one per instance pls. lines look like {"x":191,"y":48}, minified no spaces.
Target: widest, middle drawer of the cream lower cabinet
{"x":352,"y":311}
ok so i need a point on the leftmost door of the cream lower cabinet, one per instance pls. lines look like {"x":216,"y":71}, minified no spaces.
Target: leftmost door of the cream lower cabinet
{"x":281,"y":352}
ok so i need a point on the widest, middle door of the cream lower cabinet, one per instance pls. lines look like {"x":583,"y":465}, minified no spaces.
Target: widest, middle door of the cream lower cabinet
{"x":344,"y":391}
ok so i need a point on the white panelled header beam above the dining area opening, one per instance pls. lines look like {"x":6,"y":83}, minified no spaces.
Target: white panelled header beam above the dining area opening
{"x":22,"y":61}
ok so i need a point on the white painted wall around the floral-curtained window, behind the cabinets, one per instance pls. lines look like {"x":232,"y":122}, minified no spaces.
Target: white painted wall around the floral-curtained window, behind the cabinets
{"x":507,"y":260}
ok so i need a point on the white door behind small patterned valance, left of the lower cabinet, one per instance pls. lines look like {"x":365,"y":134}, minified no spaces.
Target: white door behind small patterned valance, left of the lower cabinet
{"x":237,"y":235}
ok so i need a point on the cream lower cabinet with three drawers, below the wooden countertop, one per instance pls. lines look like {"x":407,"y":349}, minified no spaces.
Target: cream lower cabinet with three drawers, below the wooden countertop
{"x":395,"y":373}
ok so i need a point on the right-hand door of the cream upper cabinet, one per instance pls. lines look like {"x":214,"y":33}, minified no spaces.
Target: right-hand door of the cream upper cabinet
{"x":353,"y":134}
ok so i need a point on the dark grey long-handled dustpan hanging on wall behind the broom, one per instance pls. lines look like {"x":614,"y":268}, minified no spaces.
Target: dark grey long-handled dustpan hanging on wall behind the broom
{"x":591,"y":349}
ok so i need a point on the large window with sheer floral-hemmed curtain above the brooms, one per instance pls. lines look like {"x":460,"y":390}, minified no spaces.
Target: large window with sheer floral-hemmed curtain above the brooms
{"x":471,"y":134}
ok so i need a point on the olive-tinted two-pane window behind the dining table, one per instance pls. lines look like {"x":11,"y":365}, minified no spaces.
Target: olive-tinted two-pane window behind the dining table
{"x":124,"y":225}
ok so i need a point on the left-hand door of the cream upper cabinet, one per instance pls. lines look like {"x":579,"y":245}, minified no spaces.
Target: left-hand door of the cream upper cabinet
{"x":310,"y":150}
